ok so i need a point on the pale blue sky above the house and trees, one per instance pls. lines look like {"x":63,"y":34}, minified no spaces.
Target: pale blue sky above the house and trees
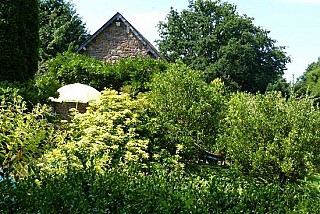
{"x":293,"y":23}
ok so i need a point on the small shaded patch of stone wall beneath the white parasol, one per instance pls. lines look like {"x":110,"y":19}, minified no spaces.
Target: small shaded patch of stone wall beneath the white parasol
{"x":63,"y":109}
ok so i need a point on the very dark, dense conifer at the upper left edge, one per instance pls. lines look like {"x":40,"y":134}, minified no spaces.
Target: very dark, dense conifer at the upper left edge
{"x":19,"y":39}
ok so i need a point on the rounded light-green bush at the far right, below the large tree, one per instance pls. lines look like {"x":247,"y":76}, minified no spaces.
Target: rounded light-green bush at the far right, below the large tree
{"x":272,"y":137}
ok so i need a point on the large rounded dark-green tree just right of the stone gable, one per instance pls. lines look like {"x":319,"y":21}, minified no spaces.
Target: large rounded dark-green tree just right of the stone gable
{"x":211,"y":36}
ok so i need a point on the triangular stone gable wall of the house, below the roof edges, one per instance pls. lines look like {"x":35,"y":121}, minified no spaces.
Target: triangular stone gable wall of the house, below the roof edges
{"x":115,"y":42}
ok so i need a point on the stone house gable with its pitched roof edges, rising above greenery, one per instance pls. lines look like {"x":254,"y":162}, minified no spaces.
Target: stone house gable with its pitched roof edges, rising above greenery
{"x":116,"y":39}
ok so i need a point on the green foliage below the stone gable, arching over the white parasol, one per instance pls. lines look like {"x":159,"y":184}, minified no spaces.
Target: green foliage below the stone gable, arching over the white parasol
{"x":130,"y":75}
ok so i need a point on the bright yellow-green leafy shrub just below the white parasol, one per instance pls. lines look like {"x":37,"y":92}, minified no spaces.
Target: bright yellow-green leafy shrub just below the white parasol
{"x":103,"y":137}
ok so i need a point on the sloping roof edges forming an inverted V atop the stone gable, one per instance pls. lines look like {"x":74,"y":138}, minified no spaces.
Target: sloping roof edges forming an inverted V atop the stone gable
{"x":138,"y":35}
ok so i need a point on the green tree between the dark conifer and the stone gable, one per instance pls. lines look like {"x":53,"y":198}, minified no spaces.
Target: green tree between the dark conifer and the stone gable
{"x":60,"y":26}
